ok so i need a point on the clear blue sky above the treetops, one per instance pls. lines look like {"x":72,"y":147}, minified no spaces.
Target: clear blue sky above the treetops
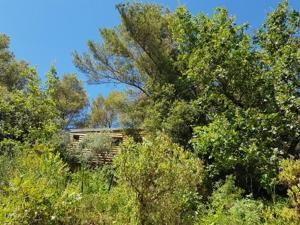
{"x":45,"y":32}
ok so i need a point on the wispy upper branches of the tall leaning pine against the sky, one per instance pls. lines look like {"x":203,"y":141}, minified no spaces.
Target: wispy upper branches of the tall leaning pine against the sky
{"x":132,"y":52}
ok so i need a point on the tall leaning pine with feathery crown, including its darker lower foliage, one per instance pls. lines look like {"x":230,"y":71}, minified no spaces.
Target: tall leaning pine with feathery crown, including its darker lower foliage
{"x":142,"y":53}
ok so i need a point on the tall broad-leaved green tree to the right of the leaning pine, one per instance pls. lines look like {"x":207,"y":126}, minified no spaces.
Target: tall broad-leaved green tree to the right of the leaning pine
{"x":250,"y":95}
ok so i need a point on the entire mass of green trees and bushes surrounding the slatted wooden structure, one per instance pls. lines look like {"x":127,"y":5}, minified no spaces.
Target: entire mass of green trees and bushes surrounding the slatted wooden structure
{"x":229,"y":98}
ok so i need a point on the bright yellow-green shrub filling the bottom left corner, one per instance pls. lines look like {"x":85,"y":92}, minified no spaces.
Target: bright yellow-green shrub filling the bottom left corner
{"x":36,"y":191}
